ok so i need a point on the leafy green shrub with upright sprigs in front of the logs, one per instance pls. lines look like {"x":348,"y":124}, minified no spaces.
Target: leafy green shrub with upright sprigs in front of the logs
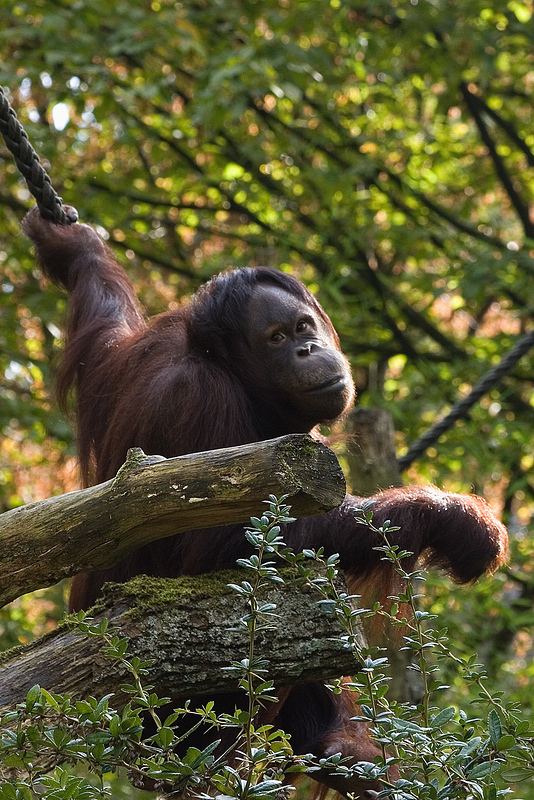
{"x":442,"y":751}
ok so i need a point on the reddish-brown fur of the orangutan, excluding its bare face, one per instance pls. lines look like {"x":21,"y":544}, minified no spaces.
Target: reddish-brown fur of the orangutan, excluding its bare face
{"x":176,"y":386}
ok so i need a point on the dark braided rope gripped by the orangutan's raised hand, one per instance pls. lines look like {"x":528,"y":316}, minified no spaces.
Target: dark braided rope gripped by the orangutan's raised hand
{"x":27,"y":160}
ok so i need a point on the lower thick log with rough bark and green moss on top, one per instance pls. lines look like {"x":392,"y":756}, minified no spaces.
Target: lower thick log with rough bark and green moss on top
{"x":189,"y":627}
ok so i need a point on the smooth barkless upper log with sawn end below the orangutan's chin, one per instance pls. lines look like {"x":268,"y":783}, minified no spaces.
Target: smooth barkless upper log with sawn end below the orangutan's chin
{"x":151,"y":498}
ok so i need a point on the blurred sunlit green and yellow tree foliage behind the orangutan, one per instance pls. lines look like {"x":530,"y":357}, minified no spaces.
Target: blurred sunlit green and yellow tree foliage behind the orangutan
{"x":383,"y":151}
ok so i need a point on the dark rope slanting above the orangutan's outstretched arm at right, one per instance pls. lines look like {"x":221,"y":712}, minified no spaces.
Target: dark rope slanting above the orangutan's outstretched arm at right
{"x":461,"y":408}
